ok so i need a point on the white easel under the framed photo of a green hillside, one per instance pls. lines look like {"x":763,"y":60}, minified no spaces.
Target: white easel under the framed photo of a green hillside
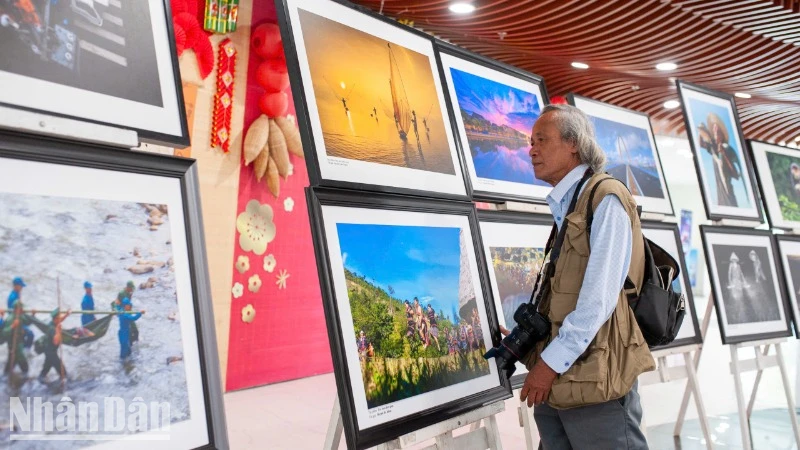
{"x":478,"y":438}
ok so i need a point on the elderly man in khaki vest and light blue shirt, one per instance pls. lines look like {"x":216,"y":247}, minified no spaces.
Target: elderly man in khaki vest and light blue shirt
{"x":582,"y":379}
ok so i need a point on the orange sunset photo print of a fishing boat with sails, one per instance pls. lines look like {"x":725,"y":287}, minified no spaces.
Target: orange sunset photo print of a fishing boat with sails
{"x":377,"y":101}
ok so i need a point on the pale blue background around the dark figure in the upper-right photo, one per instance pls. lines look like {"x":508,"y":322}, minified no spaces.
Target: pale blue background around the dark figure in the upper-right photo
{"x":699,"y":114}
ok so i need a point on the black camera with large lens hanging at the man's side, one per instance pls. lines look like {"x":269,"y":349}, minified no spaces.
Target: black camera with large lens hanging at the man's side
{"x":532,"y":327}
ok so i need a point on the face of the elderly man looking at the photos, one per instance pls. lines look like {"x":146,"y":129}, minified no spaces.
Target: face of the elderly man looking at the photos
{"x":552,"y":157}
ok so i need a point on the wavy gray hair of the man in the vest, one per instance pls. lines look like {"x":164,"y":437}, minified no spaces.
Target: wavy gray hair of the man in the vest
{"x":576,"y":128}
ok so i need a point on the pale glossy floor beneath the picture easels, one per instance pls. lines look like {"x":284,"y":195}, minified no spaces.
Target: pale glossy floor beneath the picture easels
{"x":294,"y":415}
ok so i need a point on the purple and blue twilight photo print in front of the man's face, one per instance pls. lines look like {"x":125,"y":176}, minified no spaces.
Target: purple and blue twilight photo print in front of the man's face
{"x":498,"y":120}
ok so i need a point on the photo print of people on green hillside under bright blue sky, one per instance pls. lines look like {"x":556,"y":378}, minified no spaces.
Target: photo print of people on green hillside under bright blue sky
{"x":414,"y":311}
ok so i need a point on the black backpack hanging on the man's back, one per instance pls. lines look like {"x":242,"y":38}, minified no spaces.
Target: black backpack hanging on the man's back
{"x":658,"y":309}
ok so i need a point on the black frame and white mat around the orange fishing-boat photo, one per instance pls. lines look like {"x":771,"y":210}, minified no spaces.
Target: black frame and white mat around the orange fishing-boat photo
{"x":305,"y":120}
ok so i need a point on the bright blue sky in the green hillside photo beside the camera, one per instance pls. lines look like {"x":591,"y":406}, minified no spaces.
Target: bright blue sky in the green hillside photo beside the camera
{"x":416,"y":261}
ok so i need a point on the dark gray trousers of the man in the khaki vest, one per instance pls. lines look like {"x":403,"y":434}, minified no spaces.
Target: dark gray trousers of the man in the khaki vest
{"x":613,"y":425}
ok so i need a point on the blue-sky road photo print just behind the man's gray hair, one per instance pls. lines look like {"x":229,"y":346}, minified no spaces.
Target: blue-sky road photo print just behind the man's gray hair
{"x":631,"y":156}
